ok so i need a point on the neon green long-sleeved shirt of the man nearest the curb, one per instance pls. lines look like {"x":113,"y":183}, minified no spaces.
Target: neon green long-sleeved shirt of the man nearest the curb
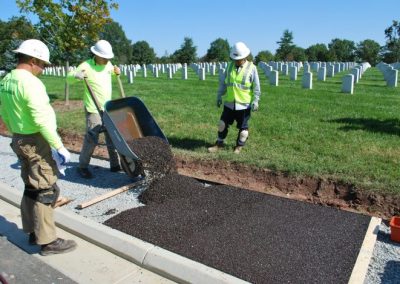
{"x":25,"y":106}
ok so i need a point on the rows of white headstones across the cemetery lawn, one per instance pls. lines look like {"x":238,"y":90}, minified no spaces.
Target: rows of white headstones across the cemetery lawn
{"x":271,"y":70}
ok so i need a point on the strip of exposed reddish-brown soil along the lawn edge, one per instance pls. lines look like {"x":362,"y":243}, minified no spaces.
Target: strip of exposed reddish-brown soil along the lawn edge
{"x":313,"y":190}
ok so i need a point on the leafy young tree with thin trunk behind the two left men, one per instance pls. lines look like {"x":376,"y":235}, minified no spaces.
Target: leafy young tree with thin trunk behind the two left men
{"x":70,"y":25}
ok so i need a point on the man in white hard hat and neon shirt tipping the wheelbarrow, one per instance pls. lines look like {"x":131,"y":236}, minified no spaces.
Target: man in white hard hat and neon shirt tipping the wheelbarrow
{"x":98,"y":71}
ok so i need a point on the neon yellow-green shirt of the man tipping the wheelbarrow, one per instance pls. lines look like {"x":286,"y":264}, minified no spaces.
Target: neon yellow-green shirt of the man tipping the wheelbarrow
{"x":99,"y":79}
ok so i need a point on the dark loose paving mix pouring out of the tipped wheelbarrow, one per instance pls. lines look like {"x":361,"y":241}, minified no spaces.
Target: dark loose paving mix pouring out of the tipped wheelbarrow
{"x":155,"y":154}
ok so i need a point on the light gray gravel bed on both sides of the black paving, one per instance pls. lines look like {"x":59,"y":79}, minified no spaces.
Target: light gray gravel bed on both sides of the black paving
{"x":384,"y":266}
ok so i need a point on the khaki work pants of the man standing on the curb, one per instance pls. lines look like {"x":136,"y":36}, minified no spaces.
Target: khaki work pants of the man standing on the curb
{"x":38,"y":171}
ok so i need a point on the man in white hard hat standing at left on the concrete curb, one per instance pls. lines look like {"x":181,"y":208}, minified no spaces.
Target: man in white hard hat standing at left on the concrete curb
{"x":27,"y":113}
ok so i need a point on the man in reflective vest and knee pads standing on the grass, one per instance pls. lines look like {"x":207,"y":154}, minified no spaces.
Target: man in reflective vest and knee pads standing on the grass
{"x":242,"y":88}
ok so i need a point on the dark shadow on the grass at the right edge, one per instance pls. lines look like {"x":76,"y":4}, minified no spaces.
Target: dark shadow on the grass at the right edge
{"x":387,"y":126}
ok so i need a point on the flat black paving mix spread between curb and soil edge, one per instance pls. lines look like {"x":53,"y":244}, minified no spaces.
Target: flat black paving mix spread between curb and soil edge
{"x":254,"y":236}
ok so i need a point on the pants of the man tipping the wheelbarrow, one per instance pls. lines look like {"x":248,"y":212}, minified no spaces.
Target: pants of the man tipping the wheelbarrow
{"x":93,"y":128}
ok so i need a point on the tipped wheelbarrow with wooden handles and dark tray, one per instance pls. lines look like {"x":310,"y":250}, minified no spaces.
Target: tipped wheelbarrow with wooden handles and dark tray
{"x":126,"y":119}
